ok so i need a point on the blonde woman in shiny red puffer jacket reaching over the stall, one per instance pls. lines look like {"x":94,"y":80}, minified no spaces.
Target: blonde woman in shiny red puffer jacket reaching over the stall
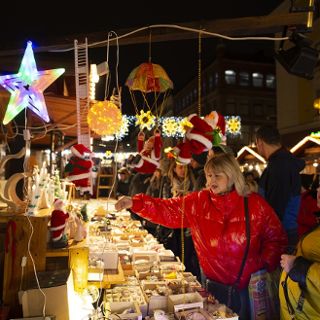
{"x":216,"y":217}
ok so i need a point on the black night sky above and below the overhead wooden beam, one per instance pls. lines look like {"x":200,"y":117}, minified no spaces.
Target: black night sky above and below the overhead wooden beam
{"x":53,"y":20}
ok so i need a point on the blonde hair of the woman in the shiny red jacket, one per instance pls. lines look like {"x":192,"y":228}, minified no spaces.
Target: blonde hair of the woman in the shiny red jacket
{"x":227,"y":164}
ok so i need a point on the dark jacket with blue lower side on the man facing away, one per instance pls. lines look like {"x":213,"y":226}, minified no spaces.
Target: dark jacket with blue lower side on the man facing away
{"x":280,"y":185}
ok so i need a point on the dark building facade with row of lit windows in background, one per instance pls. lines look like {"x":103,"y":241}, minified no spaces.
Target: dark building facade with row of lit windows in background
{"x":233,"y":87}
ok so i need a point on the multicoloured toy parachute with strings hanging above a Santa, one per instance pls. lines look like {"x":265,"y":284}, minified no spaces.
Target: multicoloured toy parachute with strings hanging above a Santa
{"x":149,"y":86}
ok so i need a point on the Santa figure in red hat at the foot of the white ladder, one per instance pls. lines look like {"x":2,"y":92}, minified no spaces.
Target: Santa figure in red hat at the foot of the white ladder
{"x":78,"y":169}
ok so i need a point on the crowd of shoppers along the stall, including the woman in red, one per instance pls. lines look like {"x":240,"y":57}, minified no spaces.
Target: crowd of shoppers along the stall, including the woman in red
{"x":216,"y":205}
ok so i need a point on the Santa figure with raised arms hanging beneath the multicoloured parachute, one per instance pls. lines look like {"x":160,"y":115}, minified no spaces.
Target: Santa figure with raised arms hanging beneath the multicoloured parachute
{"x":147,"y":161}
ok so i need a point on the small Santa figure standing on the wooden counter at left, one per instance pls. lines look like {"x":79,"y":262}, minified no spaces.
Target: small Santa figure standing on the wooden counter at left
{"x":58,"y":225}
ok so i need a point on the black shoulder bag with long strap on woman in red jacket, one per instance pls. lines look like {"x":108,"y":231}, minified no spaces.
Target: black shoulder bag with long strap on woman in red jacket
{"x":229,"y":294}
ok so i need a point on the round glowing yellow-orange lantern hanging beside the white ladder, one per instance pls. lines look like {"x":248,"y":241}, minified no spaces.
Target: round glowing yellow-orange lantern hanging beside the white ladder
{"x":104,"y":118}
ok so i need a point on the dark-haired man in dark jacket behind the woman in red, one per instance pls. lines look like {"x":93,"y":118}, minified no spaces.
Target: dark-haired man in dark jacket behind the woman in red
{"x":280,"y":182}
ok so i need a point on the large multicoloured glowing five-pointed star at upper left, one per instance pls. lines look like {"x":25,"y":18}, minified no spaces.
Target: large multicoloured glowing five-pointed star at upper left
{"x":27,"y":86}
